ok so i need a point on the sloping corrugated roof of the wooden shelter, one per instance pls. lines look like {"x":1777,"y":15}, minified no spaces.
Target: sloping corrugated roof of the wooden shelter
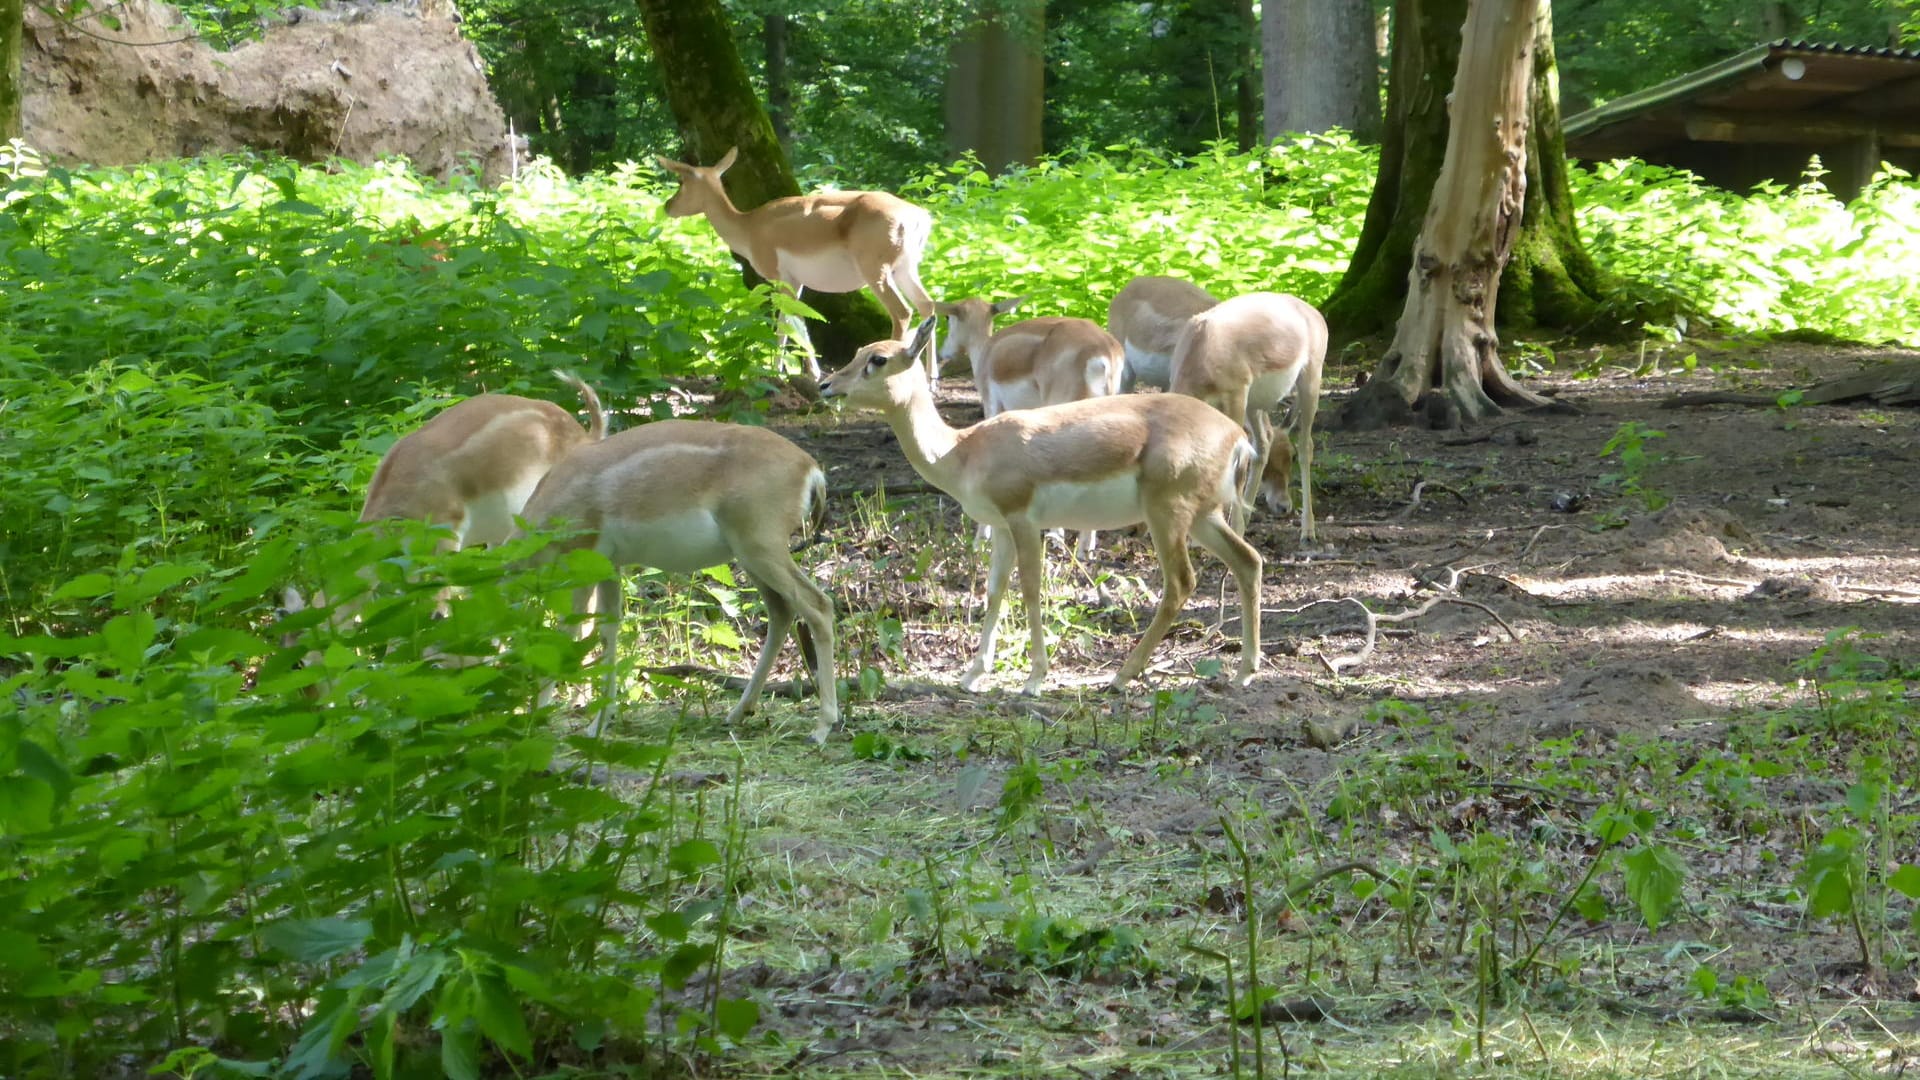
{"x":1787,"y":76}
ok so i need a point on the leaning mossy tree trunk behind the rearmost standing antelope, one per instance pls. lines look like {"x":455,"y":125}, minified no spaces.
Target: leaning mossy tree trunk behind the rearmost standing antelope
{"x":715,"y":107}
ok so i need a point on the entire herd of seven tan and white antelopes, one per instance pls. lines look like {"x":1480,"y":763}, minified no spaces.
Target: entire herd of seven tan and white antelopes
{"x":1065,"y":441}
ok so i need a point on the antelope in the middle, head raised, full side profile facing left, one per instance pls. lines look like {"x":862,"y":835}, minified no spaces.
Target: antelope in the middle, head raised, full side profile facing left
{"x":1099,"y":464}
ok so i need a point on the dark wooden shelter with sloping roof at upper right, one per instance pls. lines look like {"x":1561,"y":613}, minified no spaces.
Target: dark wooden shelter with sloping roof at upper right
{"x":1762,"y":114}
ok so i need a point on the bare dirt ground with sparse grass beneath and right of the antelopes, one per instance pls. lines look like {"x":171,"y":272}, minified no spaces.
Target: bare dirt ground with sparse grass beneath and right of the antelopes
{"x":1673,"y":629}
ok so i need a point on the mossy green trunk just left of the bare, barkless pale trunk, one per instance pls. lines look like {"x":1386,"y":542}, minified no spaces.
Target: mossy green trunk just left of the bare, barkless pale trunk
{"x":1426,"y":51}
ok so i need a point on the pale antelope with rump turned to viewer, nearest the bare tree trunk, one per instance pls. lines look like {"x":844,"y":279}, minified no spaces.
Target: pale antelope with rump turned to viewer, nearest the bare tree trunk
{"x":1245,"y":356}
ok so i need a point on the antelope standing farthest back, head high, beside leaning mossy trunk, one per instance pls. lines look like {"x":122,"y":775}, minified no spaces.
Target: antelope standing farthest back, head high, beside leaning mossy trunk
{"x":825,"y":241}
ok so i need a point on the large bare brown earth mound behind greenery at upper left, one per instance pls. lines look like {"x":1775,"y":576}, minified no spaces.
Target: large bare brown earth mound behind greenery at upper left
{"x":354,"y":82}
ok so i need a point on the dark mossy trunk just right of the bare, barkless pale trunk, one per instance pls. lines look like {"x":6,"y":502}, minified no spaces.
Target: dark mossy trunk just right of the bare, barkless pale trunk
{"x":1552,"y":280}
